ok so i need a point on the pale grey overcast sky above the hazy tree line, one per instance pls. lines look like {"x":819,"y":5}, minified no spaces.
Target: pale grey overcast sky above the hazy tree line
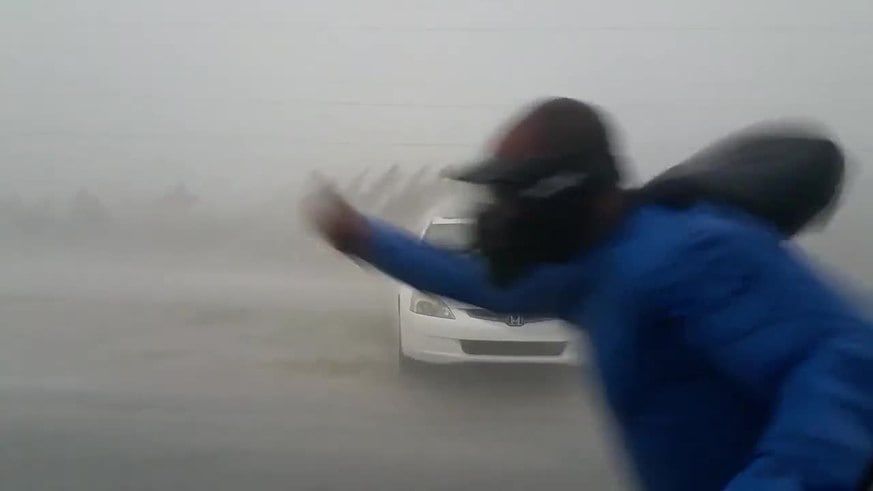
{"x":241,"y":98}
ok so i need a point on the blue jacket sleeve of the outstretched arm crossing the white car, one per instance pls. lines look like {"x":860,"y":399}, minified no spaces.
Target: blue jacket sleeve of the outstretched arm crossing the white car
{"x":458,"y":276}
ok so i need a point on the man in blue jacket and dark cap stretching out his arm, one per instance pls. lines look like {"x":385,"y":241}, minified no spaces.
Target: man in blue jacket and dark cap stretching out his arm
{"x":727,"y":362}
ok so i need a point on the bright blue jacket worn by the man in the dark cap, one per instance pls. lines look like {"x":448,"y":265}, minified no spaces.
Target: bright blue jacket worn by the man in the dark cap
{"x":727,"y":361}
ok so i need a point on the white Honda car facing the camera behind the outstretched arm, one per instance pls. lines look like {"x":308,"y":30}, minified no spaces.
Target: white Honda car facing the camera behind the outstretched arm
{"x":438,"y":330}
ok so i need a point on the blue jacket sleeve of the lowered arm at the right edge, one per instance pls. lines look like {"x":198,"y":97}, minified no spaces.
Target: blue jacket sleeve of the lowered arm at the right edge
{"x":765,"y":321}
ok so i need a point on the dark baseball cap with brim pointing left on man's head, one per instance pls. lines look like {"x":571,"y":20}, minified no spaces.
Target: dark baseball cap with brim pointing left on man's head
{"x":555,"y":136}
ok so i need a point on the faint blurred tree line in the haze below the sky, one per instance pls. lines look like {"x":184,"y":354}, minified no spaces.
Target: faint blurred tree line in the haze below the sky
{"x":180,"y":222}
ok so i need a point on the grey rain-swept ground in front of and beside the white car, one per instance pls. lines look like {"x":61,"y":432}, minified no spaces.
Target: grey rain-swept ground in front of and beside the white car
{"x":159,"y":379}
